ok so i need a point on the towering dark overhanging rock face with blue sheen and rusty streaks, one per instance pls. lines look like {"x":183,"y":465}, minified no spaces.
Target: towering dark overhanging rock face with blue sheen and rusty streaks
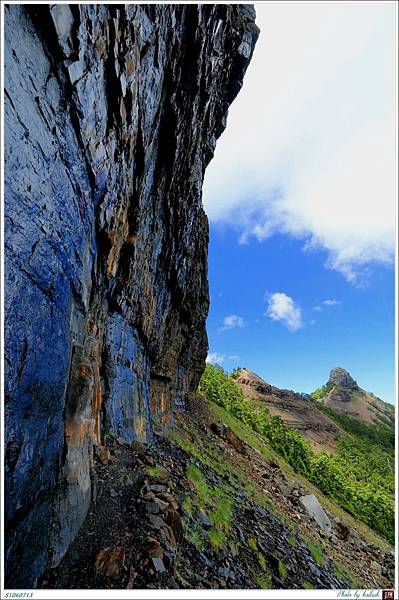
{"x":111,"y":116}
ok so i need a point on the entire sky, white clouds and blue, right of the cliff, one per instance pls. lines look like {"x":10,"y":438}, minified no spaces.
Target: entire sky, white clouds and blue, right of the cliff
{"x":301,"y":202}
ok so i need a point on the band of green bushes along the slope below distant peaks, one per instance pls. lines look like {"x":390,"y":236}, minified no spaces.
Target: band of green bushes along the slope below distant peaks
{"x":359,"y":483}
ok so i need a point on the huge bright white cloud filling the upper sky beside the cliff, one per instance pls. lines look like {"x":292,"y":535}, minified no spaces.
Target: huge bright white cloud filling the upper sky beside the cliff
{"x":309,"y":146}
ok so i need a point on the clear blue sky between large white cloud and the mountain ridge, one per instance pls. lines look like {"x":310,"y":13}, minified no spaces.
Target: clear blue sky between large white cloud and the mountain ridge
{"x":355,"y":331}
